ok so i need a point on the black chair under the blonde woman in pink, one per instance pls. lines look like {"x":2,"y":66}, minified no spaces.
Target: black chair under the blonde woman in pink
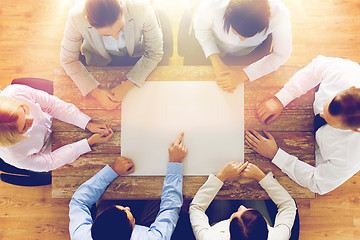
{"x":23,"y":177}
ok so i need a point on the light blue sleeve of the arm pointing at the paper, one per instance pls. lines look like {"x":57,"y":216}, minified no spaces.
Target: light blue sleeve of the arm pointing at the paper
{"x":171,"y":202}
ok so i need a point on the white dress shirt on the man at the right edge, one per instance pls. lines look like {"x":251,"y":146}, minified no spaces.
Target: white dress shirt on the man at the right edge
{"x":337,"y":151}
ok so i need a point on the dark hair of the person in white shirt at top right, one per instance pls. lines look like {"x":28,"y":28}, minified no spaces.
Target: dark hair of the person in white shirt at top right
{"x":247,"y":17}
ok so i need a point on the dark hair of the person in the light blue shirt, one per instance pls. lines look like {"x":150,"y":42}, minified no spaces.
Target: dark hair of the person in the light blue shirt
{"x":111,"y":224}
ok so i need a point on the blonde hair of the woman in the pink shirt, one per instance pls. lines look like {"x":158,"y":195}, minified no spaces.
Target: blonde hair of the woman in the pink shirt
{"x":9,"y":134}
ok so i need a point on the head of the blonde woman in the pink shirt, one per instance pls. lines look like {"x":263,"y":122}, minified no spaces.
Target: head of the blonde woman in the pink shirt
{"x":15,"y":120}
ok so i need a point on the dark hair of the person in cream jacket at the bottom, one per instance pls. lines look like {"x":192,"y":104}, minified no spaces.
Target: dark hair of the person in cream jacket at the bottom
{"x":250,"y":226}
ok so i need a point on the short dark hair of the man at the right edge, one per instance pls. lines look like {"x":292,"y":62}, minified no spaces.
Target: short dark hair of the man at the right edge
{"x":347,"y":105}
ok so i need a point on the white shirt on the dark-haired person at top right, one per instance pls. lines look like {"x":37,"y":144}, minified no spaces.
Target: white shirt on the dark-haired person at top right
{"x":209,"y":30}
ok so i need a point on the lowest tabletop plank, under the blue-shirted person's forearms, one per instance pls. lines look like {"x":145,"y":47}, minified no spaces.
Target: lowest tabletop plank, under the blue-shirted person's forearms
{"x":127,"y":187}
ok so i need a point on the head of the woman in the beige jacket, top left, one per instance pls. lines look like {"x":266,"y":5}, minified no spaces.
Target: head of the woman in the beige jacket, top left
{"x":106,"y":16}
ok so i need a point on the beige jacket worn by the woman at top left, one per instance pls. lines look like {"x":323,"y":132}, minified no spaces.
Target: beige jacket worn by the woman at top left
{"x":141,"y":31}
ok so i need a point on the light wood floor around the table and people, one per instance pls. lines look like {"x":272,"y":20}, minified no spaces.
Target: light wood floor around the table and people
{"x":30,"y":36}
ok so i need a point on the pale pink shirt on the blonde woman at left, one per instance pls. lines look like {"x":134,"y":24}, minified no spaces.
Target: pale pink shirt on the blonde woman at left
{"x":35,"y":152}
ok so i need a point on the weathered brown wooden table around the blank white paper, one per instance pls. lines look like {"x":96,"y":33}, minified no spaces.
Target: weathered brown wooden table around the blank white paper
{"x":293,"y":131}
